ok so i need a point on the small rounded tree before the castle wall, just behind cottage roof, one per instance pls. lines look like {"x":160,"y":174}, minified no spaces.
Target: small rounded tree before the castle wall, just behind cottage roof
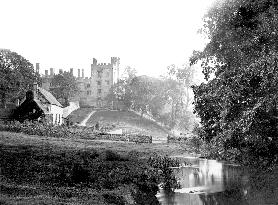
{"x":64,"y":86}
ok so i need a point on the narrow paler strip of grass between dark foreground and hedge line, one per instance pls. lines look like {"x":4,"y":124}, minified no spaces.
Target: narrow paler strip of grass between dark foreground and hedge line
{"x":10,"y":138}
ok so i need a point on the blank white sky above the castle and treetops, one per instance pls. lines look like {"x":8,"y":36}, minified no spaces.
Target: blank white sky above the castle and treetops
{"x":148,"y":35}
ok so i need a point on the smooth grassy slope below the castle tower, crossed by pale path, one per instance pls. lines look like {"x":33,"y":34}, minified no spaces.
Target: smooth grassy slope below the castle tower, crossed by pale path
{"x":128,"y":121}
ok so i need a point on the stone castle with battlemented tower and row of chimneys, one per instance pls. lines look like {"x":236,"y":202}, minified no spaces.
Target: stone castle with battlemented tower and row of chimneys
{"x":93,"y":90}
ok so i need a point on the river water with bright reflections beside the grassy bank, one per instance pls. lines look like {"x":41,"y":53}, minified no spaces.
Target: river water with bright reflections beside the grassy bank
{"x":209,"y":182}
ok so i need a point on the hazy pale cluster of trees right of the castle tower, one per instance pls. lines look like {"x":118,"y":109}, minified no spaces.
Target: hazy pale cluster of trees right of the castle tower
{"x":153,"y":96}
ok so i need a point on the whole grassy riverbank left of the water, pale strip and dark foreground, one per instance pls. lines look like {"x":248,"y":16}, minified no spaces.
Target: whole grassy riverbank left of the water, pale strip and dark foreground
{"x":37,"y":169}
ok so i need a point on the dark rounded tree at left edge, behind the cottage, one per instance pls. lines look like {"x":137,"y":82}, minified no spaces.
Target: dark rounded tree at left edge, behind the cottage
{"x":17,"y":75}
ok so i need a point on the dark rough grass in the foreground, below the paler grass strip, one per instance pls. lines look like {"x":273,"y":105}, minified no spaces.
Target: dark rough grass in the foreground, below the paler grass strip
{"x":68,"y":174}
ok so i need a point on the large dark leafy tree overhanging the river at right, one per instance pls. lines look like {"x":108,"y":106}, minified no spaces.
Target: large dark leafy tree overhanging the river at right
{"x":238,"y":107}
